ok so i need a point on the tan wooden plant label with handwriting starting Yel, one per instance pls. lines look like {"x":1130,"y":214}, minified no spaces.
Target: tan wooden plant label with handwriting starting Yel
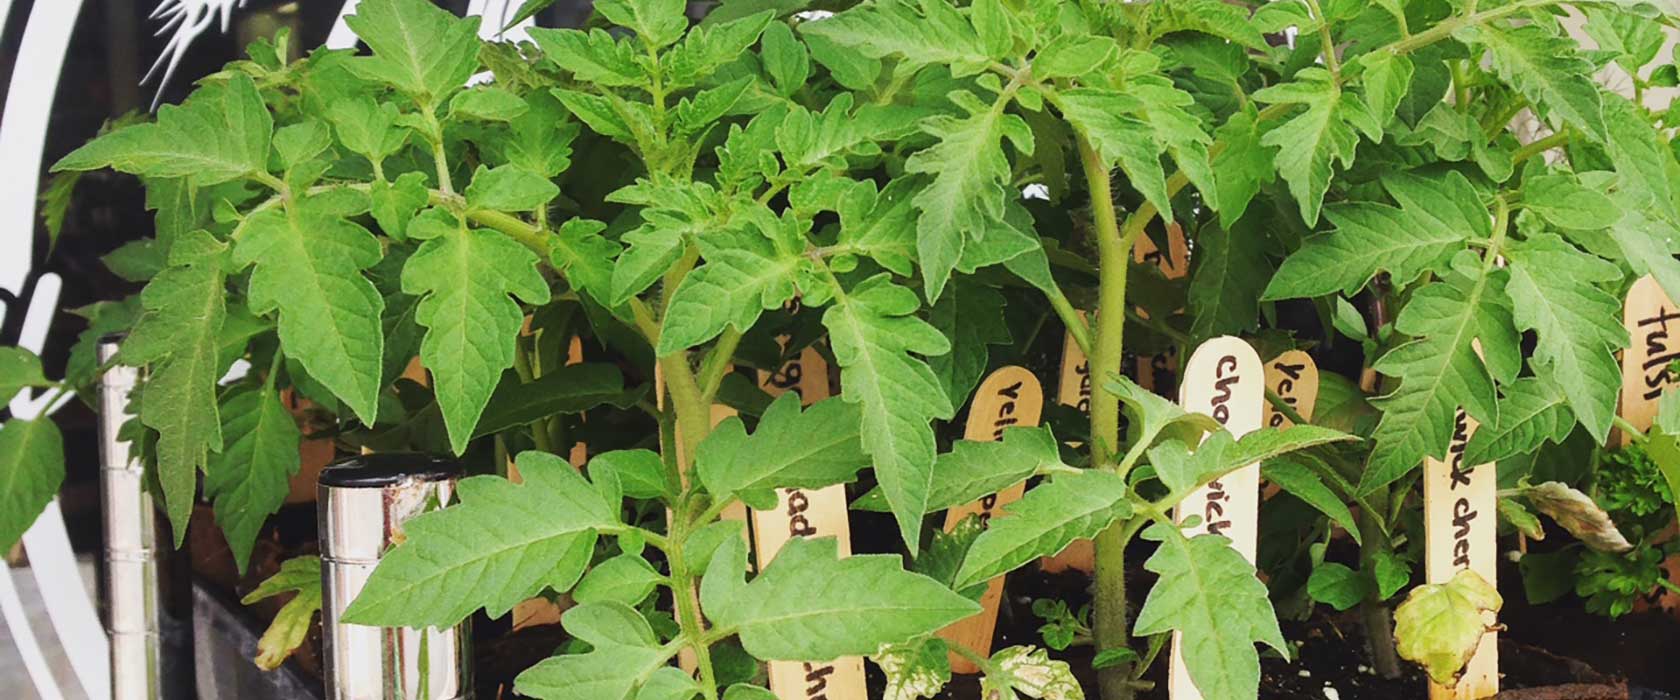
{"x":1011,"y":397}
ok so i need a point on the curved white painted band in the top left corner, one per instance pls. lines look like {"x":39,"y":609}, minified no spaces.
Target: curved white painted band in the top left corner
{"x":24,"y":132}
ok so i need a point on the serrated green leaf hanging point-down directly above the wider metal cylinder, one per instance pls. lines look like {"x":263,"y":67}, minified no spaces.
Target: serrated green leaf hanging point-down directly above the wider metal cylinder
{"x":468,"y":281}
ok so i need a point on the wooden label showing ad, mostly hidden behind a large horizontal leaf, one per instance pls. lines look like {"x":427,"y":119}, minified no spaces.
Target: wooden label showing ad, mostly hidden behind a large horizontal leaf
{"x":807,"y":515}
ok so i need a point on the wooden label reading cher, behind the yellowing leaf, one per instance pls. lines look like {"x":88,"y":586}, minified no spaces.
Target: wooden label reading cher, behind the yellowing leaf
{"x":1461,"y":528}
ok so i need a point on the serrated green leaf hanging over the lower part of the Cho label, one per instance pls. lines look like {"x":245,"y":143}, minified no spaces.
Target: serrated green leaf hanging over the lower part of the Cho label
{"x":1210,"y":595}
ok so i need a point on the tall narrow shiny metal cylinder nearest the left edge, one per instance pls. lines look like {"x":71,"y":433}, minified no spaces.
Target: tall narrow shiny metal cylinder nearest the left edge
{"x":150,"y":635}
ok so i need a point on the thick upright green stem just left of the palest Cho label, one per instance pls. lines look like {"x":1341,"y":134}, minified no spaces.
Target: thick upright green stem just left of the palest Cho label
{"x":1111,"y":614}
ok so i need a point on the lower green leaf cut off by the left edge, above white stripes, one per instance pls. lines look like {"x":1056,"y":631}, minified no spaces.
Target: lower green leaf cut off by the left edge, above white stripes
{"x":31,"y":473}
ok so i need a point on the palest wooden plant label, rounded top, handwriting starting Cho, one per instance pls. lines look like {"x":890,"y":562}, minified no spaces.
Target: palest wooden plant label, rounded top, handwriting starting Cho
{"x":1227,"y":382}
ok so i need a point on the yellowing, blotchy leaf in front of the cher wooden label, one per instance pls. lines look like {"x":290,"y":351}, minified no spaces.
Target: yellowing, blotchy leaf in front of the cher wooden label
{"x":1441,"y":625}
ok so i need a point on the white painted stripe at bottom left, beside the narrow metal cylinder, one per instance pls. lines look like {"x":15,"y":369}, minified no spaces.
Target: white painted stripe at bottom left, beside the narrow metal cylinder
{"x":71,"y":610}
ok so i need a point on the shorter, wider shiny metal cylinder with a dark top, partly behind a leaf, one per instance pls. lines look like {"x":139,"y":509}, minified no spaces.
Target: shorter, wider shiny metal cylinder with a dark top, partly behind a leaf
{"x":364,"y":503}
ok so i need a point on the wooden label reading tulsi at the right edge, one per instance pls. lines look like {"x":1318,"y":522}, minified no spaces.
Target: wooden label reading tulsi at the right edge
{"x":1654,"y":326}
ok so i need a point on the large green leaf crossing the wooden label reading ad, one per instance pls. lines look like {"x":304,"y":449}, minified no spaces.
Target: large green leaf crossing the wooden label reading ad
{"x":811,"y":605}
